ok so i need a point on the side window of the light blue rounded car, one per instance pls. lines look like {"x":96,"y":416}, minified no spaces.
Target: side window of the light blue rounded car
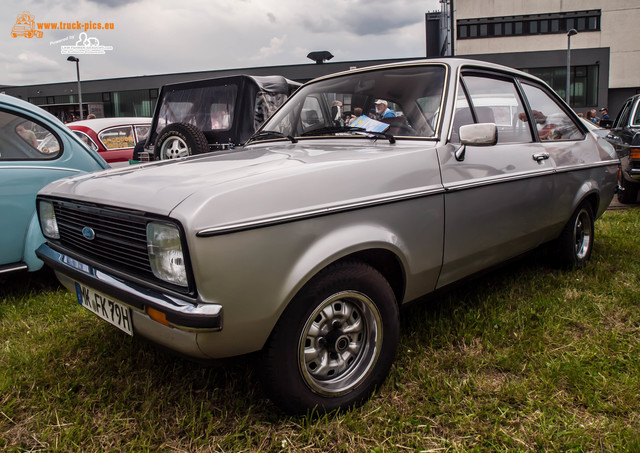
{"x":22,"y":139}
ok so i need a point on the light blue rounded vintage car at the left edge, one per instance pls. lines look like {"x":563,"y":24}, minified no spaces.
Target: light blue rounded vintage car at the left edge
{"x":35,"y":149}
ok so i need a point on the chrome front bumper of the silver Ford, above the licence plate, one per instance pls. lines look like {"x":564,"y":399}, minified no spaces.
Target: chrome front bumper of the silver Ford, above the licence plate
{"x":181,"y":313}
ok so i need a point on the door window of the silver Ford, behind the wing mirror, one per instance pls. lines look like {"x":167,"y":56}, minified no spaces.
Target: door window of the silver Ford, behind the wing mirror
{"x":497,"y":101}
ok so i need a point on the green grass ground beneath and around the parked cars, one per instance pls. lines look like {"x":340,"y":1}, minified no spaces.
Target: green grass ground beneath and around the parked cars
{"x":524,"y":358}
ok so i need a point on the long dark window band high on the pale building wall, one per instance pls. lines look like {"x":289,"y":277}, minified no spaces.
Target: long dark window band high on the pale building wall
{"x":535,"y":24}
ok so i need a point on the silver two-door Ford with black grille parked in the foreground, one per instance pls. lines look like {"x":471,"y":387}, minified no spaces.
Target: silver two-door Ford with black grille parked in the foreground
{"x":304,"y":243}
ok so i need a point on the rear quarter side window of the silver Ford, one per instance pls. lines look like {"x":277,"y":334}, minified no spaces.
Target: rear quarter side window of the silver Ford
{"x":552,"y":123}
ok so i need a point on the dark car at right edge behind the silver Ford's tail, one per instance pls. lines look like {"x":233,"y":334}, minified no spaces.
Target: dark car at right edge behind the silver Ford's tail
{"x":625,"y":137}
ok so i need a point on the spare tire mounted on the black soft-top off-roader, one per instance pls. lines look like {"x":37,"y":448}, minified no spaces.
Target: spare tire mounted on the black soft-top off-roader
{"x":180,"y":140}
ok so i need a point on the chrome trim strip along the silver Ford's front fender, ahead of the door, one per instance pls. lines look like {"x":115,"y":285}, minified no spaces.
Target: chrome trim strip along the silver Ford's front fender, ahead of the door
{"x":271,"y":221}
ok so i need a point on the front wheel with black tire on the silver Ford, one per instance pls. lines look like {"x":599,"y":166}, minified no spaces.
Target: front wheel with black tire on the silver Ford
{"x":335,"y":343}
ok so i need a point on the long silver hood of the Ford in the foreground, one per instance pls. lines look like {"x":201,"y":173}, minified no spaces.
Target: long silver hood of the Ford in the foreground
{"x":255,"y":182}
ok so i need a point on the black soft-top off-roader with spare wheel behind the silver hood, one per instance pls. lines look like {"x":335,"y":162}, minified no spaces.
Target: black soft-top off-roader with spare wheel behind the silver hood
{"x":206,"y":115}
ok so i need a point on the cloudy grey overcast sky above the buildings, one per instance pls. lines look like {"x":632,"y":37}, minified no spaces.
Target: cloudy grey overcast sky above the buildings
{"x":169,"y":36}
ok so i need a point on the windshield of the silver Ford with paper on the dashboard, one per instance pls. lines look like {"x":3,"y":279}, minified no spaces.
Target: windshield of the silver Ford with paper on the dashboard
{"x":403,"y":101}
